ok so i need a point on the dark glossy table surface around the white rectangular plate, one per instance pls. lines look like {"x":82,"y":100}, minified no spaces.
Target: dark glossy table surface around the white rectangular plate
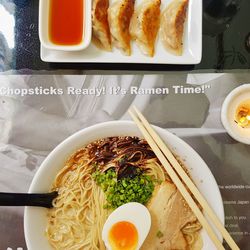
{"x":226,"y":40}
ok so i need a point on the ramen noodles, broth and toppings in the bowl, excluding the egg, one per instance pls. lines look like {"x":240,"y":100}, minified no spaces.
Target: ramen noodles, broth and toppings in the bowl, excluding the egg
{"x":107,"y":174}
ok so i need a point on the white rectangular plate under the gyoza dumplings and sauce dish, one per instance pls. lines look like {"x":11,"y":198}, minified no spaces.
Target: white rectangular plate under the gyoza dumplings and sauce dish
{"x":191,"y":54}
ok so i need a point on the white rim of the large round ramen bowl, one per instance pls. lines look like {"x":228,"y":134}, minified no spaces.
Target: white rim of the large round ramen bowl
{"x":35,"y":219}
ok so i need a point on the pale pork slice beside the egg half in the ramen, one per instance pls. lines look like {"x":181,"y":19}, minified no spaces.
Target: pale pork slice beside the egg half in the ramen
{"x":169,"y":213}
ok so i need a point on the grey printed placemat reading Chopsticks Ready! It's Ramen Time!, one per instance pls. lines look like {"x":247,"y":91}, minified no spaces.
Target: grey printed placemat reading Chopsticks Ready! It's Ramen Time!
{"x":38,"y":112}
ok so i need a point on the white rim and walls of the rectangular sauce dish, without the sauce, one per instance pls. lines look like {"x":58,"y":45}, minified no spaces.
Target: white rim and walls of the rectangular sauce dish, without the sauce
{"x":44,"y":28}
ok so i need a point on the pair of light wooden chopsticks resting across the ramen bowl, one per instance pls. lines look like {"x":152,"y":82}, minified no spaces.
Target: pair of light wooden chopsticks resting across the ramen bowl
{"x":172,"y":167}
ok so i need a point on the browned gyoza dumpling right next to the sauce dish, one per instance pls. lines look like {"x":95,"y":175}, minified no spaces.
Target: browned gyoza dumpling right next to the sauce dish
{"x":101,"y":32}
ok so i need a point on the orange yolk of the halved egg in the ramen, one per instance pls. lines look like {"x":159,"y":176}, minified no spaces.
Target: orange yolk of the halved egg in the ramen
{"x":123,"y":236}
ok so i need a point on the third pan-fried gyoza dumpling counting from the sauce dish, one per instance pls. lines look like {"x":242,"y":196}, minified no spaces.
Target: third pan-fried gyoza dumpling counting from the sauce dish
{"x":145,"y":24}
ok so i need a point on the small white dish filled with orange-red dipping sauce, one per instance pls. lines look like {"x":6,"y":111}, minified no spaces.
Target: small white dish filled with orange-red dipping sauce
{"x":65,"y":25}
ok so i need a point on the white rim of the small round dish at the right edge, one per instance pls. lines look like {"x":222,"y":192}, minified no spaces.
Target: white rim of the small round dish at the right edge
{"x":229,"y":110}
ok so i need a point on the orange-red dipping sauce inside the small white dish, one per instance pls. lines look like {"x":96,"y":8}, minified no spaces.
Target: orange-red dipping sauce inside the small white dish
{"x":66,"y":22}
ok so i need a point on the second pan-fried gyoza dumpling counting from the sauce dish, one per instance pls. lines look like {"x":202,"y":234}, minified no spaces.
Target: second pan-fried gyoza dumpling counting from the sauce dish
{"x":120,"y":13}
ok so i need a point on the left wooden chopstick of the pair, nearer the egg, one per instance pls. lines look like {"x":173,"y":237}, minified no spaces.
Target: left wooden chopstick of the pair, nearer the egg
{"x":176,"y":180}
